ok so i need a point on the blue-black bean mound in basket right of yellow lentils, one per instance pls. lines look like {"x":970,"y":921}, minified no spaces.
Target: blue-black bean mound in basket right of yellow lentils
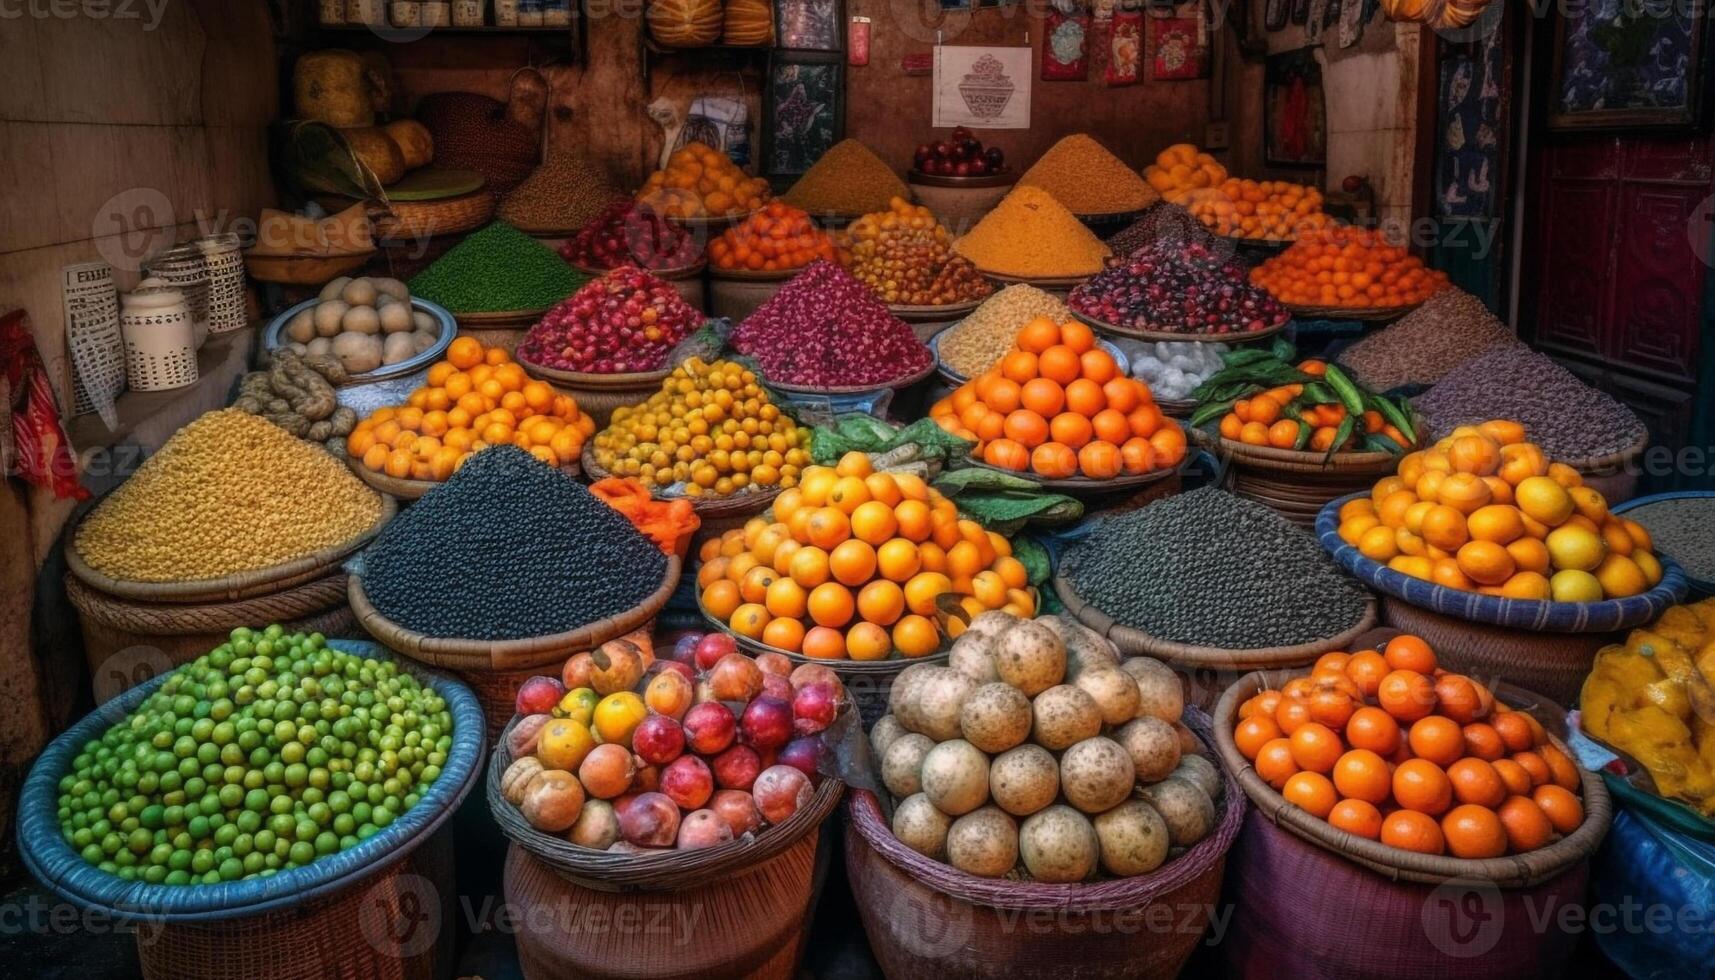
{"x":508,"y":548}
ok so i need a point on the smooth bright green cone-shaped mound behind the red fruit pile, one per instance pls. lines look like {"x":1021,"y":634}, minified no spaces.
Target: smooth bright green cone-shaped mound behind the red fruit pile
{"x":498,"y":270}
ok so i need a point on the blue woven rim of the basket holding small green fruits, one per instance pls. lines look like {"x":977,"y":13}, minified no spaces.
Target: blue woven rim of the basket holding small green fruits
{"x":63,"y":869}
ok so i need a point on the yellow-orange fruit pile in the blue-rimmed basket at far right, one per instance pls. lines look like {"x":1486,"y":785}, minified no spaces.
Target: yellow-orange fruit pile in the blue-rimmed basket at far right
{"x":1488,"y":512}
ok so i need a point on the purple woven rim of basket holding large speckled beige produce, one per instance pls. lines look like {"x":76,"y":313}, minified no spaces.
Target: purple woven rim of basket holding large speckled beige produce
{"x":1129,"y":893}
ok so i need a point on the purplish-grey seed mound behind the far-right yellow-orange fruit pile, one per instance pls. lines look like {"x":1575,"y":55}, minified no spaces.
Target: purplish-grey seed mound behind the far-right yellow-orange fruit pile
{"x":1562,"y":414}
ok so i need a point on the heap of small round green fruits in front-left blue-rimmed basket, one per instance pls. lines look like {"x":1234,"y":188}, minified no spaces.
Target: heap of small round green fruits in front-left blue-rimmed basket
{"x":268,"y":753}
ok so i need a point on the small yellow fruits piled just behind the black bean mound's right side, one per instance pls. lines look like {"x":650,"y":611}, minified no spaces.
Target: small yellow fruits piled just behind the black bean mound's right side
{"x":711,"y":428}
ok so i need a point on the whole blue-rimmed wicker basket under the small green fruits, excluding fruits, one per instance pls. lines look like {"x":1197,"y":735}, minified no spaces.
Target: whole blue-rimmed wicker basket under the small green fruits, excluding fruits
{"x":358,"y":914}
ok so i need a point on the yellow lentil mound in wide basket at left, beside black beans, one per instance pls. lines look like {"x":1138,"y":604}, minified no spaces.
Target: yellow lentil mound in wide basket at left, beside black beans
{"x":227,"y":493}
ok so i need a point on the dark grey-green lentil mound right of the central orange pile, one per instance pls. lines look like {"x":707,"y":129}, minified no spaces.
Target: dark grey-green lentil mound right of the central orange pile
{"x":1213,"y":571}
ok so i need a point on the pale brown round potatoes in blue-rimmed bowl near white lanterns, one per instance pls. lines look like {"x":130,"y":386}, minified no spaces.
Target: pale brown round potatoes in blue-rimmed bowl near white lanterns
{"x":366,"y":324}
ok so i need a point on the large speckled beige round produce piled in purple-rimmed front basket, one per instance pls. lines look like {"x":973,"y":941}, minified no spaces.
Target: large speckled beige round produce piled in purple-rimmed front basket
{"x":1040,"y":722}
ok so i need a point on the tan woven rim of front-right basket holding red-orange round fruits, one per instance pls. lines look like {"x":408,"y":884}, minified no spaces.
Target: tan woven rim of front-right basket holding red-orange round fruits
{"x":1515,"y":871}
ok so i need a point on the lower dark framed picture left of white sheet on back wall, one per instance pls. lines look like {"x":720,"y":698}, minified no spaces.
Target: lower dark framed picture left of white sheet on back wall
{"x":803,"y":111}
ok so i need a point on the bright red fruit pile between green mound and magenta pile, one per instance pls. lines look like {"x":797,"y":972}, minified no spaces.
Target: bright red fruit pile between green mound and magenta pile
{"x":620,"y":324}
